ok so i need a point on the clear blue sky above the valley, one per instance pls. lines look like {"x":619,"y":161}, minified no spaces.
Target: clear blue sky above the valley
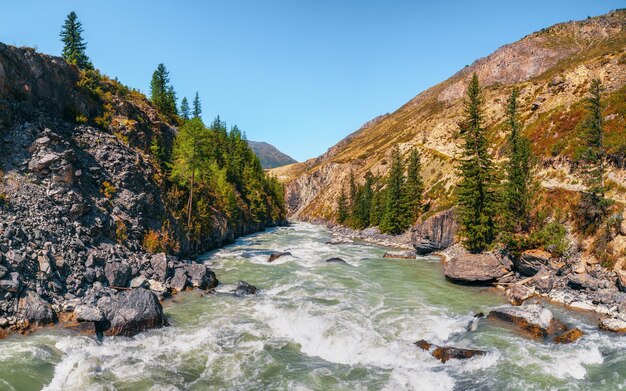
{"x":300,"y":74}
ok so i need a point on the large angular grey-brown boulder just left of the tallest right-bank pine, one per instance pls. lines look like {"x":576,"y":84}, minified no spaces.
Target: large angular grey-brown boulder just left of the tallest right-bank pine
{"x":435,"y":233}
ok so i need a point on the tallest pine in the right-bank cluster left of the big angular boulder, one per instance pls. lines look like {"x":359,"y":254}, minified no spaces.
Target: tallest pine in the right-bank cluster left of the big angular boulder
{"x":392,"y":220}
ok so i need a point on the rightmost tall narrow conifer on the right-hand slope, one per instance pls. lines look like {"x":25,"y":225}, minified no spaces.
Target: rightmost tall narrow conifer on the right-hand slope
{"x":594,"y":206}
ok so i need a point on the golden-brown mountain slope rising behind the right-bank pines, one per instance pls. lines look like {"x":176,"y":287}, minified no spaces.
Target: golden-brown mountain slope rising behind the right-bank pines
{"x":552,"y":68}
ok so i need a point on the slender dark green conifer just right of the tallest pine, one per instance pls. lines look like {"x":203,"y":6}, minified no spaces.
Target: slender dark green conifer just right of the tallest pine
{"x":519,"y":185}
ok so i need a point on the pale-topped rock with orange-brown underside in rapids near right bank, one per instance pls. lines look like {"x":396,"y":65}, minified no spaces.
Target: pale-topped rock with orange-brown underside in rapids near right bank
{"x":531,"y":318}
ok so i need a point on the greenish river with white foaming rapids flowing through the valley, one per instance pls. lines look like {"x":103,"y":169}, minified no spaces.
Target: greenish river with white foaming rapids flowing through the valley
{"x":318,"y":326}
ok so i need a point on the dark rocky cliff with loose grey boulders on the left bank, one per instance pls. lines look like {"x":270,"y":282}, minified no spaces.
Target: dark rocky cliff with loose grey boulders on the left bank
{"x":79,"y":191}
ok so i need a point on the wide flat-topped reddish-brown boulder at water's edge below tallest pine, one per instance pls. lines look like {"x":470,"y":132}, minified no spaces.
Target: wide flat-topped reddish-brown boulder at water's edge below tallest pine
{"x":474,"y":268}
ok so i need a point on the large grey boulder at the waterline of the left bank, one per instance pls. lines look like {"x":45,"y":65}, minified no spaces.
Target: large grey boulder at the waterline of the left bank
{"x":131,"y":312}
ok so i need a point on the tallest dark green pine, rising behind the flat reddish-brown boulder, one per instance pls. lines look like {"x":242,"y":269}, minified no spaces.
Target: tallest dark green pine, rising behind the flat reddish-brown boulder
{"x":476,"y":195}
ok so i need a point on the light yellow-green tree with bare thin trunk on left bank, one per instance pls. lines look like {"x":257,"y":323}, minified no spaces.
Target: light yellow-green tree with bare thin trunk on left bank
{"x":189,"y":156}
